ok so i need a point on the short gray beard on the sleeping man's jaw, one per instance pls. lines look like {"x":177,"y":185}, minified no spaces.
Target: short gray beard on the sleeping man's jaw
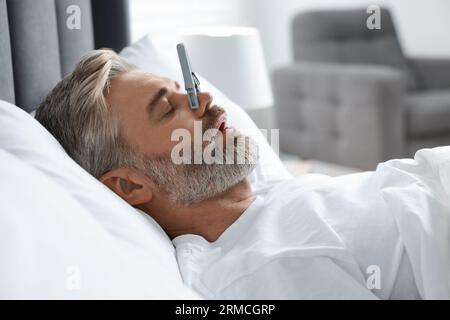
{"x":186,"y":184}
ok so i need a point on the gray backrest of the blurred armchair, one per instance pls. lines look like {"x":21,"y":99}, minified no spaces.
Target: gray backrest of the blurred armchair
{"x":342,"y":36}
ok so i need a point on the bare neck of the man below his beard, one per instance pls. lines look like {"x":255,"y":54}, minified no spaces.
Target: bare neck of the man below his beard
{"x":209,"y":218}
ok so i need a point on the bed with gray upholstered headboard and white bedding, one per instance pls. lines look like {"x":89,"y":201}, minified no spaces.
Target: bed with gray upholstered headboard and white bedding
{"x":65,"y":235}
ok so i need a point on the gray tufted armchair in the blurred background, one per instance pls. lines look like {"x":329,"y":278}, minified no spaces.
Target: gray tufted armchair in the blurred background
{"x":351,"y":97}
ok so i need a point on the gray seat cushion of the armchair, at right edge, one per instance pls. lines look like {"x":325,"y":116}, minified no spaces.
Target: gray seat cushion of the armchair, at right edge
{"x":428,"y":113}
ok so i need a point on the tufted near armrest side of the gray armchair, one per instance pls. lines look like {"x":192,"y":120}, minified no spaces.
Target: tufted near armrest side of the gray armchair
{"x":345,"y":113}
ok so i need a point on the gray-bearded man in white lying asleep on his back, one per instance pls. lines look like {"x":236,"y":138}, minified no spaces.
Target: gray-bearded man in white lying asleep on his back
{"x":381,"y":234}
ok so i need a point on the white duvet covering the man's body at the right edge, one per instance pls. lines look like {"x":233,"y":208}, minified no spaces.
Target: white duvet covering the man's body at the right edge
{"x":417,"y":193}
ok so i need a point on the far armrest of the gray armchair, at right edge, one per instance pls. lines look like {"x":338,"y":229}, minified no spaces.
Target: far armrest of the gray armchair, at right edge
{"x":432,"y":73}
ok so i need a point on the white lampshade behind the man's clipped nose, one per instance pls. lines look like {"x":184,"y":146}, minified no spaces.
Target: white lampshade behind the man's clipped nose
{"x":232,"y":59}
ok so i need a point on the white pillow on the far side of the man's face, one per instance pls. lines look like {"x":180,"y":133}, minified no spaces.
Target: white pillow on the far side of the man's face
{"x":145,"y":55}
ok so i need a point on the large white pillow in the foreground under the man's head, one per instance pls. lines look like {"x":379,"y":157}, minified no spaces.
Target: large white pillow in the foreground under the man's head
{"x":63,"y":234}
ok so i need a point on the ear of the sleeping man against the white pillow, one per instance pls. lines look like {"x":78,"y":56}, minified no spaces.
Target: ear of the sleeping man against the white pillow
{"x":130,"y":184}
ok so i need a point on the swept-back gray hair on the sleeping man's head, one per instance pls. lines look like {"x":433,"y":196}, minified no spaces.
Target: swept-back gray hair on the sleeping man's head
{"x":77,"y":115}
